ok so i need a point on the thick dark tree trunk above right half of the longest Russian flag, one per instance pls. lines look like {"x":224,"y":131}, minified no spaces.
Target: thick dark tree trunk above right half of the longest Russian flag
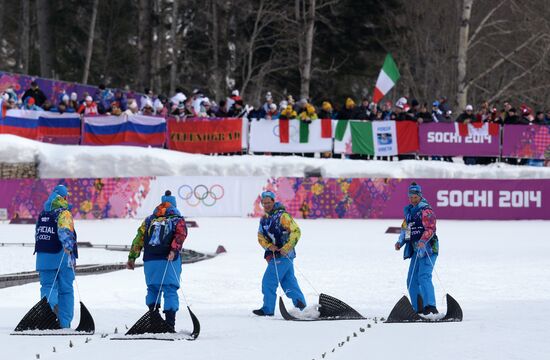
{"x":144,"y":43}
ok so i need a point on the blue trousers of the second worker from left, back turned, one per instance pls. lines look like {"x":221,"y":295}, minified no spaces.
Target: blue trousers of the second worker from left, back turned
{"x":154,"y":271}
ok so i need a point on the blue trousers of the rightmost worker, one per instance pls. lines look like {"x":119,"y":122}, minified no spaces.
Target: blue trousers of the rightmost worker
{"x":420,"y":280}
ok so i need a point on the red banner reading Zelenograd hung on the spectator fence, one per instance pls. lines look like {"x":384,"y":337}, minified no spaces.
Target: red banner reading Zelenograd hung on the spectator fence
{"x":206,"y":136}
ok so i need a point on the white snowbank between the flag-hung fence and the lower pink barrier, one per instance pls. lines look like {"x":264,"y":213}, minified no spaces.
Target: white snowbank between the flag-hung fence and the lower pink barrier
{"x":64,"y":161}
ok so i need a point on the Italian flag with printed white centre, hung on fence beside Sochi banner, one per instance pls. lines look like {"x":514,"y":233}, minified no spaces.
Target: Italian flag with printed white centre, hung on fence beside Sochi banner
{"x":384,"y":138}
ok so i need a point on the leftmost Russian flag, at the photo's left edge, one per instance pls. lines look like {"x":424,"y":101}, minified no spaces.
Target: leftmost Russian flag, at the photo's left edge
{"x":22,"y":123}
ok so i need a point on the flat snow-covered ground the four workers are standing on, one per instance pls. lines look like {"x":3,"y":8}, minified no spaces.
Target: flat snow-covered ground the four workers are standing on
{"x":498,"y":271}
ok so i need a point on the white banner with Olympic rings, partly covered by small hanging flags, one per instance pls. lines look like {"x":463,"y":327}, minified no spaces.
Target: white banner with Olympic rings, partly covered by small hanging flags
{"x":264,"y":137}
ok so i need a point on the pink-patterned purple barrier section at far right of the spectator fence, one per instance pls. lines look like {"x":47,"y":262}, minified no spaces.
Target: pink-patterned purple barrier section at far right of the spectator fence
{"x":526,"y":141}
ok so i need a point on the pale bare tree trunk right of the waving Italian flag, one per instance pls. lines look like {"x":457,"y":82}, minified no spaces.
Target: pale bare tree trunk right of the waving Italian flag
{"x":462,"y":91}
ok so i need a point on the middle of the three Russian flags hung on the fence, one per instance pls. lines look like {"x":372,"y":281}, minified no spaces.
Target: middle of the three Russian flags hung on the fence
{"x":59,"y":128}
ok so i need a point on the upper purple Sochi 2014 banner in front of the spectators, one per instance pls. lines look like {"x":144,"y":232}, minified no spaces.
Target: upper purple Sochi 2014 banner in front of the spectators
{"x":443,"y":139}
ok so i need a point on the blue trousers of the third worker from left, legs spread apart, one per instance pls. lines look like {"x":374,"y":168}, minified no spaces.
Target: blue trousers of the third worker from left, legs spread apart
{"x":285,"y":269}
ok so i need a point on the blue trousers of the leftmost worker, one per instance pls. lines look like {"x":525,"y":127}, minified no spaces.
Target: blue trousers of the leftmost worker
{"x":62,"y":294}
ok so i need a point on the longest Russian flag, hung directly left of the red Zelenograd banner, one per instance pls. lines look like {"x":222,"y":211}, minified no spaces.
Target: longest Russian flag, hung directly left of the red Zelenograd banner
{"x":140,"y":130}
